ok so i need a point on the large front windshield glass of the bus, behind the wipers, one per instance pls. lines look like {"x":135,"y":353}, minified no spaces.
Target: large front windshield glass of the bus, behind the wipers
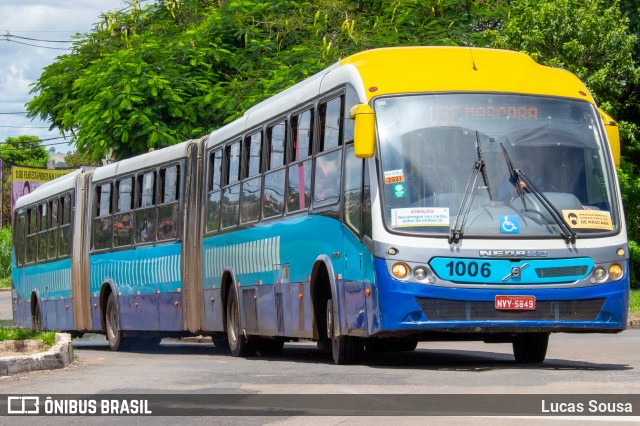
{"x":430,"y":144}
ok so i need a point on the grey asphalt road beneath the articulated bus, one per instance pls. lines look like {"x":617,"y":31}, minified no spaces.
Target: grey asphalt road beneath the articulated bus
{"x":576,"y":364}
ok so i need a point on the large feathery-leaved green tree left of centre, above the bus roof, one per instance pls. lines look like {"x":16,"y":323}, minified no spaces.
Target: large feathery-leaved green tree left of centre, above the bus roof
{"x":152,"y":77}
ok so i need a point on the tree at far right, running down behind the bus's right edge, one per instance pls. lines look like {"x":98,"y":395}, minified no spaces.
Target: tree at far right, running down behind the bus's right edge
{"x":593,"y":40}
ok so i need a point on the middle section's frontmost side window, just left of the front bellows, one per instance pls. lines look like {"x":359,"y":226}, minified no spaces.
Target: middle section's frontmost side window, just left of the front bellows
{"x":169,"y":203}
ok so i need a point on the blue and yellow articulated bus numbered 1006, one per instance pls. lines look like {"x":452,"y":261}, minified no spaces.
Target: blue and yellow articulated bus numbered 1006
{"x":400,"y":195}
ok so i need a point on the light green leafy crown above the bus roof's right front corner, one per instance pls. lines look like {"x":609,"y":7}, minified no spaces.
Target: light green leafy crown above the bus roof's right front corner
{"x":590,"y":38}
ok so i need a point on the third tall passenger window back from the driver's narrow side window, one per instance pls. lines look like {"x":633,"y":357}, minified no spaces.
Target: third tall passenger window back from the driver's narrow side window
{"x":274,"y":179}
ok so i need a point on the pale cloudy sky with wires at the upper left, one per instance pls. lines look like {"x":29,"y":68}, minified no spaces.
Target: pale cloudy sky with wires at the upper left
{"x":21,"y":65}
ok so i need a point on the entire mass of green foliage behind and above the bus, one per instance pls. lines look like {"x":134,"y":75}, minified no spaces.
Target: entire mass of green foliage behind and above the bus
{"x":154,"y":75}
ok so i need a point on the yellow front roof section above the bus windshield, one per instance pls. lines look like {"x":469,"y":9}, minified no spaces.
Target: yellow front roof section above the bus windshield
{"x":445,"y":69}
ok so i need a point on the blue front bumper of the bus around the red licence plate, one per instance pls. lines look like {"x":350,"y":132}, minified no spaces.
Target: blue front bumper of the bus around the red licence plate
{"x":409,"y":306}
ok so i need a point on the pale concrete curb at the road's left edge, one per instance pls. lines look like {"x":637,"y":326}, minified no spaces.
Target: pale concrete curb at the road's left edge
{"x":59,"y":355}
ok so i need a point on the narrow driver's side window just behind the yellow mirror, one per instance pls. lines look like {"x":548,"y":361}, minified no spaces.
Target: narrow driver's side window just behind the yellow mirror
{"x":352,"y":190}
